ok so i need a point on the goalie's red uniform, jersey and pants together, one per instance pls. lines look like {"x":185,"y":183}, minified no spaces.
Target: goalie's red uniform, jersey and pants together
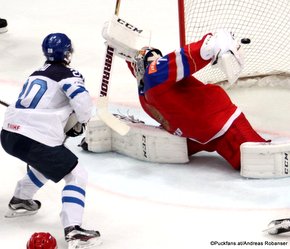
{"x":186,"y":107}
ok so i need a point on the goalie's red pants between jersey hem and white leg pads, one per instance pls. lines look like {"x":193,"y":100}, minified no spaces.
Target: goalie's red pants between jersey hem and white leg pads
{"x":228,"y":145}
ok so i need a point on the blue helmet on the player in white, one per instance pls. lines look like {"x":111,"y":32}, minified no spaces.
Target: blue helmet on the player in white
{"x":57,"y":47}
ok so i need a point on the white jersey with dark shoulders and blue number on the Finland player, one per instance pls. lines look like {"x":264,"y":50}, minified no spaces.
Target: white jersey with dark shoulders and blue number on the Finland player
{"x":47,"y":99}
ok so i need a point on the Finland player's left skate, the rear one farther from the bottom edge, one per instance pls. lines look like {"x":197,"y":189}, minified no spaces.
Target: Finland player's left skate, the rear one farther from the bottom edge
{"x":19,"y":207}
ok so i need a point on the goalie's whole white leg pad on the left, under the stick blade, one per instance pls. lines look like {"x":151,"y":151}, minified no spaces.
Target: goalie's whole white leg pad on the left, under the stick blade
{"x":143,"y":142}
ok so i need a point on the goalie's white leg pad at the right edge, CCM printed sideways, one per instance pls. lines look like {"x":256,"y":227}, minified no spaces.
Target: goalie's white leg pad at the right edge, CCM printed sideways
{"x":265,"y":160}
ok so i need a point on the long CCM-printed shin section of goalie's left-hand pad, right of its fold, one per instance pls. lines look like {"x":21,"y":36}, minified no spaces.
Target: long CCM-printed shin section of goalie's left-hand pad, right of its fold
{"x":151,"y":144}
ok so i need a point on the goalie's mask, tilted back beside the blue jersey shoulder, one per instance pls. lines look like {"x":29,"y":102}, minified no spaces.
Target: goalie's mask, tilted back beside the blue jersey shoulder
{"x":143,"y":59}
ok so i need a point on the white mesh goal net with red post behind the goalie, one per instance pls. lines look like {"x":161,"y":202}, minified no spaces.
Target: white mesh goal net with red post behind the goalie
{"x":265,"y":22}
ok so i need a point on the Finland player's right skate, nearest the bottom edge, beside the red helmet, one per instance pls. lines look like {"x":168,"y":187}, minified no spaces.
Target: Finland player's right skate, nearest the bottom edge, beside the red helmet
{"x":78,"y":237}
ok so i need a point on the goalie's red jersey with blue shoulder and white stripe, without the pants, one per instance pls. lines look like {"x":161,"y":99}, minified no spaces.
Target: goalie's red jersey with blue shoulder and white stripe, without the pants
{"x":181,"y":103}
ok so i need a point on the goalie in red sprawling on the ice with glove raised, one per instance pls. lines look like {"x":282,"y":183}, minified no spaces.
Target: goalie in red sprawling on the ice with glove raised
{"x":193,"y":116}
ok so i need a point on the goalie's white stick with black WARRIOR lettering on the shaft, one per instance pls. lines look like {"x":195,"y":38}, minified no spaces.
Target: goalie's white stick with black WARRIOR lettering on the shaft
{"x":102,"y":102}
